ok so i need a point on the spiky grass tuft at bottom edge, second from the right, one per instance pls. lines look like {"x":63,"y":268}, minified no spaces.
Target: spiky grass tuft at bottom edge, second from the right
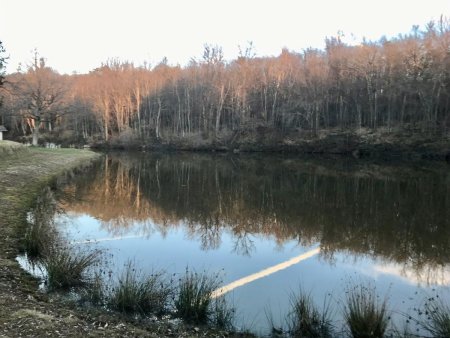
{"x":365,"y":315}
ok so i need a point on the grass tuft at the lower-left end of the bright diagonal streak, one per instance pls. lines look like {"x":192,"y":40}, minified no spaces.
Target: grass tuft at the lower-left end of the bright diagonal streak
{"x":194,"y":296}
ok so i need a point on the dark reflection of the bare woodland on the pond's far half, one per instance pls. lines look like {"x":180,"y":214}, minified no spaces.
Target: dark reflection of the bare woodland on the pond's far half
{"x":394,"y":213}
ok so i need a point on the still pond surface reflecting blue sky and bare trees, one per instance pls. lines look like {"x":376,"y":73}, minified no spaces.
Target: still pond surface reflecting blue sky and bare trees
{"x":270,"y":225}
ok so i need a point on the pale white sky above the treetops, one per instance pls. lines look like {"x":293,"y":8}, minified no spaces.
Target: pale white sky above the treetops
{"x":78,"y":35}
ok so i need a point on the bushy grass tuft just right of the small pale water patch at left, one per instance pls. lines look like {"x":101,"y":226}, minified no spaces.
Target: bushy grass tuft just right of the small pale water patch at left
{"x":66,"y":268}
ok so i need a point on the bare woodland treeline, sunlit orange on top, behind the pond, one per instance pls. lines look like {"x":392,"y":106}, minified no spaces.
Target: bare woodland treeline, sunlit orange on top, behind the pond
{"x":404,"y":81}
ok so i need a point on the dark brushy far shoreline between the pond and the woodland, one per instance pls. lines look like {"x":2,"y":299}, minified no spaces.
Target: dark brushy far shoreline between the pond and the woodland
{"x":405,"y":145}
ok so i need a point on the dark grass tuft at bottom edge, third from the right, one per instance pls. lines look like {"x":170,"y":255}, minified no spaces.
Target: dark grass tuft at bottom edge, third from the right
{"x":306,"y":320}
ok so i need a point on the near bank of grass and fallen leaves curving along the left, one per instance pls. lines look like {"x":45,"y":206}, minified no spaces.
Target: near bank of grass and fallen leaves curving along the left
{"x":25,"y":311}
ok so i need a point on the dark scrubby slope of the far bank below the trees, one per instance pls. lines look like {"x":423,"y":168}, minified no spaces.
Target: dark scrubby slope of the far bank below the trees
{"x":405,"y":143}
